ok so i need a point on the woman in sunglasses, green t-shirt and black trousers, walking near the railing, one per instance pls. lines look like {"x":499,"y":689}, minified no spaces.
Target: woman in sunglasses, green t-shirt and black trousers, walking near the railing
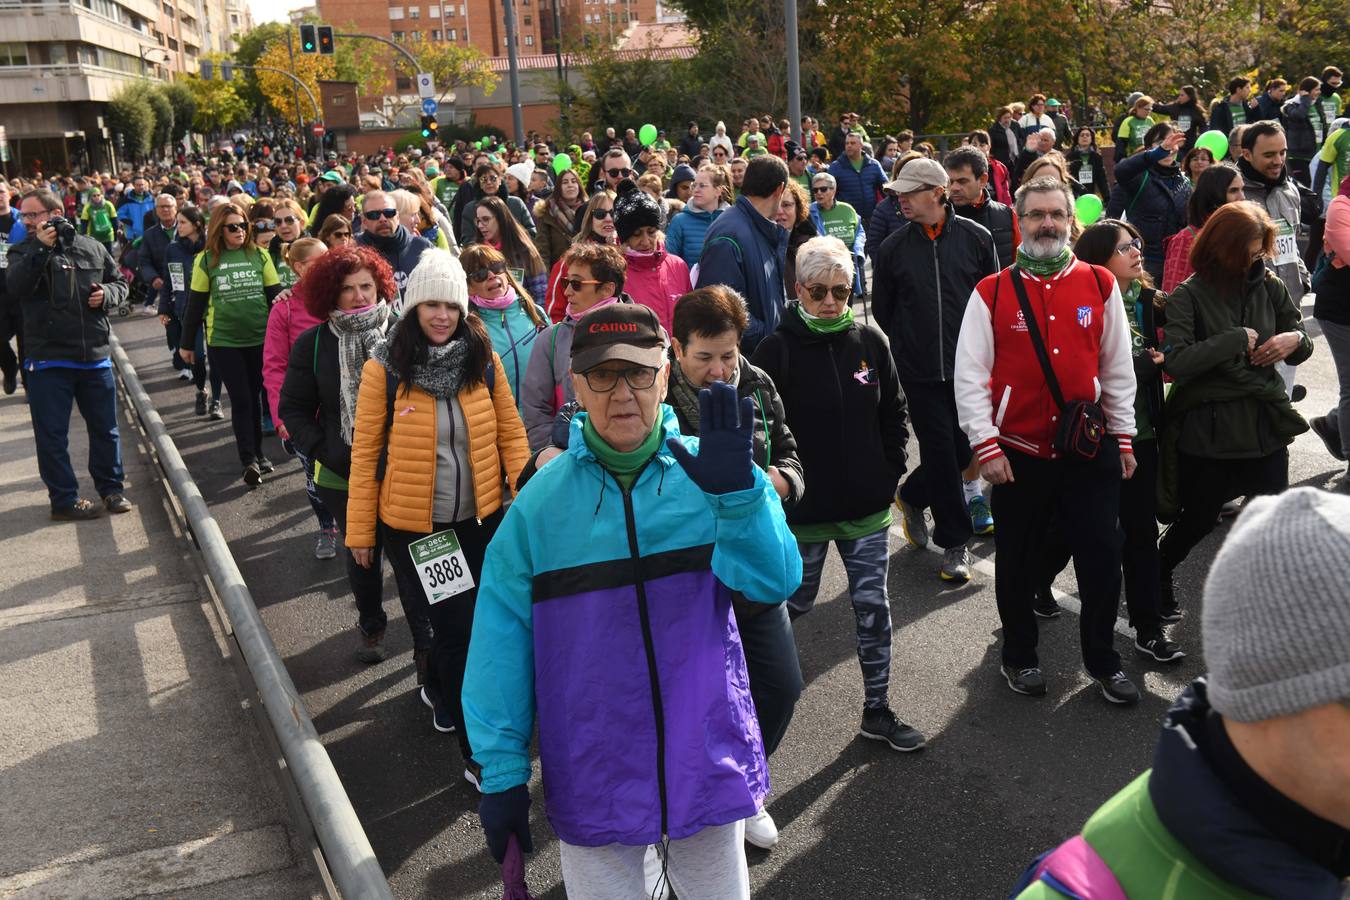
{"x":232,"y":291}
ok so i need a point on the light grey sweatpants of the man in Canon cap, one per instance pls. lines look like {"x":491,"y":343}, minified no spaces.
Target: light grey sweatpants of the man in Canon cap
{"x":709,"y":866}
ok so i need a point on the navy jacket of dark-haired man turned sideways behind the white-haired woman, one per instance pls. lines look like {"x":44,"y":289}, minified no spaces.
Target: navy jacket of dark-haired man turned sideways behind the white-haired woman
{"x":749,"y":253}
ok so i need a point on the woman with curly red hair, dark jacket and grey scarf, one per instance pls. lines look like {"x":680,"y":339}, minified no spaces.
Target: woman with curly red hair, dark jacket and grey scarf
{"x":349,"y":291}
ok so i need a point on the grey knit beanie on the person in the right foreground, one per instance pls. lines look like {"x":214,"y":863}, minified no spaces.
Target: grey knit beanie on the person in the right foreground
{"x":1276,"y":621}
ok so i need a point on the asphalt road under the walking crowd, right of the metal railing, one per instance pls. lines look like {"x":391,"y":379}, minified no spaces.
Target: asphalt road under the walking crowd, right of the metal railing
{"x":1004,"y":777}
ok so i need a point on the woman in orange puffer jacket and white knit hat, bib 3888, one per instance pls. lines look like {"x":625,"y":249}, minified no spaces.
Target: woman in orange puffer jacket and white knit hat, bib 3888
{"x":435,"y":408}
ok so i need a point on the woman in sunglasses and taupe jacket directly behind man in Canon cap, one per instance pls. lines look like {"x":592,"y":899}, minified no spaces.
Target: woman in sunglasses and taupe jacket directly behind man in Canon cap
{"x":593,"y":279}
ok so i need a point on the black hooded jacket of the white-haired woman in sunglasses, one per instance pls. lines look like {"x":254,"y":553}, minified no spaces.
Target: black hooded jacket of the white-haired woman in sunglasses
{"x":843,"y":400}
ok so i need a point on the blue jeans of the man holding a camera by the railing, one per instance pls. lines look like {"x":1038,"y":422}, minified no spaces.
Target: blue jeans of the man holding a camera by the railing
{"x":52,"y":393}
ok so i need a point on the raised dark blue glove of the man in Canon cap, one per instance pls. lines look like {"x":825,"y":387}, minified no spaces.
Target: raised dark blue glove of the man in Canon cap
{"x":726,"y":461}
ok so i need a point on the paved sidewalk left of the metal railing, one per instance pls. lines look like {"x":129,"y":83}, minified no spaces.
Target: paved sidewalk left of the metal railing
{"x":129,"y":764}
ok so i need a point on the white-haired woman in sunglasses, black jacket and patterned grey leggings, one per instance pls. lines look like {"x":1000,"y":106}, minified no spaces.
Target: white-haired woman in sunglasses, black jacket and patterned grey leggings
{"x":846,"y":408}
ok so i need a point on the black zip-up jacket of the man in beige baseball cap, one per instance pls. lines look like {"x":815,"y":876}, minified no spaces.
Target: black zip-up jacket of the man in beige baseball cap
{"x":920,"y":291}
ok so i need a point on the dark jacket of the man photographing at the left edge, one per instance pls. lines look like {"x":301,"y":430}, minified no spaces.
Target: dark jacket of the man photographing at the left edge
{"x":52,"y":287}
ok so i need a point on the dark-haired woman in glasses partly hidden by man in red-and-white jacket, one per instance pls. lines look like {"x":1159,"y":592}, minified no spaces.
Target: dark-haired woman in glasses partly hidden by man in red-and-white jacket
{"x":1117,"y":248}
